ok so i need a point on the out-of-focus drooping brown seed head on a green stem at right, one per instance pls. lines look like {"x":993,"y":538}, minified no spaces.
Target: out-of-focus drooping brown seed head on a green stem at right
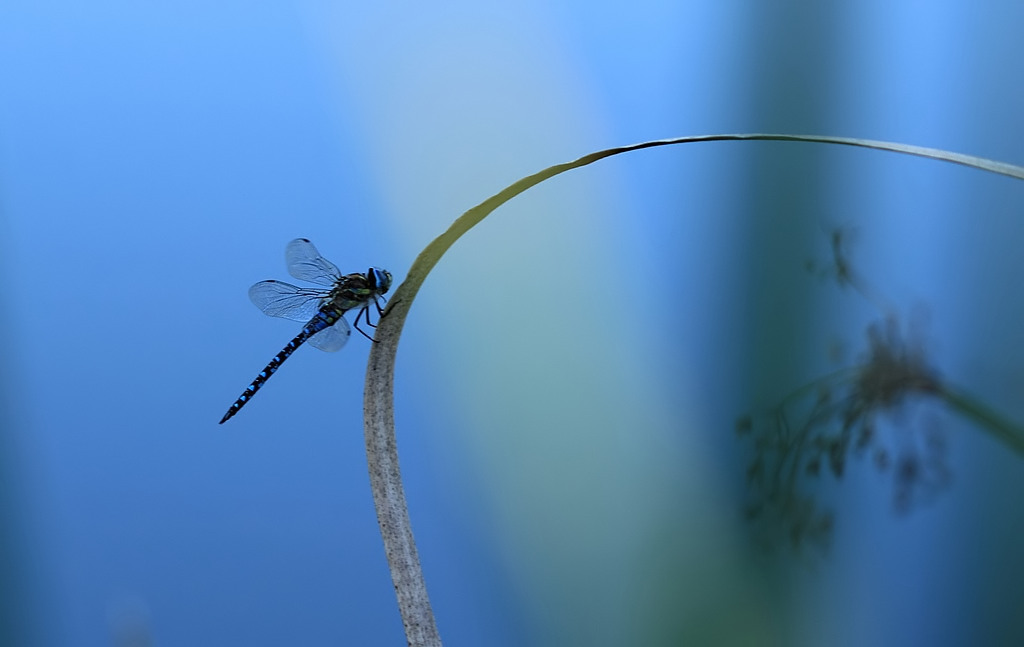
{"x":860,"y":412}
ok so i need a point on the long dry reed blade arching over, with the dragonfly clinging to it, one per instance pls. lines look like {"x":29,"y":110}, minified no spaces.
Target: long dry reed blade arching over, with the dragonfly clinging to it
{"x":386,"y":477}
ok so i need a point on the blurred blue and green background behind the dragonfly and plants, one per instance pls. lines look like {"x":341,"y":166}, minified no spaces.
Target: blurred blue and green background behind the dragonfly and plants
{"x":570,"y":379}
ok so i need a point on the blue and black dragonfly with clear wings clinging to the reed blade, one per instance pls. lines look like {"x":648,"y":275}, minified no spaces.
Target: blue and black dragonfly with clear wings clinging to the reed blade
{"x":321,"y":310}
